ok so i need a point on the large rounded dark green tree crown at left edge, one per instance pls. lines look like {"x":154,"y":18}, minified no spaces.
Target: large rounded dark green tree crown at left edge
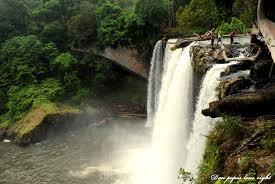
{"x":24,"y":59}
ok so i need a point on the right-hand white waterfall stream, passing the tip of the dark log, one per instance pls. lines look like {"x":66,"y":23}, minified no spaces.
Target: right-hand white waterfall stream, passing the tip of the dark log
{"x":202,"y":124}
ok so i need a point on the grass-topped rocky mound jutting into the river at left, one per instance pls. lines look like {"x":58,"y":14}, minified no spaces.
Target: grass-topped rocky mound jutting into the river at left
{"x":35,"y":125}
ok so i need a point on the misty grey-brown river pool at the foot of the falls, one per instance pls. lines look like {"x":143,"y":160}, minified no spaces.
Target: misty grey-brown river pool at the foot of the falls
{"x":97,"y":154}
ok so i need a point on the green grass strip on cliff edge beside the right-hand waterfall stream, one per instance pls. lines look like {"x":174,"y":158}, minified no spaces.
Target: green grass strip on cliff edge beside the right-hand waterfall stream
{"x":219,"y":143}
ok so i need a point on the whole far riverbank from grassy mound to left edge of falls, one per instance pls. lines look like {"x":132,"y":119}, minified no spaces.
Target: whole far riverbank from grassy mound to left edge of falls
{"x":126,"y":100}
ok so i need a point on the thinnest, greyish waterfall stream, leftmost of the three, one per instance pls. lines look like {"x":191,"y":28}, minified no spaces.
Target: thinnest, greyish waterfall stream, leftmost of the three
{"x":154,"y":82}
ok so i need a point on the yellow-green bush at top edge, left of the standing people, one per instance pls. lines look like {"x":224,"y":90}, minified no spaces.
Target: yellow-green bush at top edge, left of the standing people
{"x":198,"y":14}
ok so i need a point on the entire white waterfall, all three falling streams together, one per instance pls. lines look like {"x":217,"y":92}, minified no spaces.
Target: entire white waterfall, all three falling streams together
{"x":178,"y":129}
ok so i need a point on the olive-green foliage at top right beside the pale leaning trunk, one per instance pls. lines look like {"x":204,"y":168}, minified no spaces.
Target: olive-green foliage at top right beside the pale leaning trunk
{"x":246,"y":10}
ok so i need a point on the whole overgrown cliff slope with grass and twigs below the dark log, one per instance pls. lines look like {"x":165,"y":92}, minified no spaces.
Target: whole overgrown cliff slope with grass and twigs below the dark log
{"x":238,"y":148}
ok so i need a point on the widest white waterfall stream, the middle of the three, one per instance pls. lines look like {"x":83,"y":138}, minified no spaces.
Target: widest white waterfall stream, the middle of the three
{"x":173,"y":116}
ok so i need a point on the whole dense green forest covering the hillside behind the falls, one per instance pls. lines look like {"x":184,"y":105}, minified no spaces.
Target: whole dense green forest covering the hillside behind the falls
{"x":39,"y":63}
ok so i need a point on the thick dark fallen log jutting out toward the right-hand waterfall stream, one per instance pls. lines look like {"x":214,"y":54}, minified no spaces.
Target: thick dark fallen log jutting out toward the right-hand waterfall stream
{"x":252,"y":104}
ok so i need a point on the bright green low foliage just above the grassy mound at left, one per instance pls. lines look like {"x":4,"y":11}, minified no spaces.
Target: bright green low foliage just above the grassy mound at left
{"x":22,"y":99}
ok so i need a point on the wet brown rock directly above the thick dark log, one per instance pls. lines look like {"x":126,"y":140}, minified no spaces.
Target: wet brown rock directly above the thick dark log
{"x":233,"y":86}
